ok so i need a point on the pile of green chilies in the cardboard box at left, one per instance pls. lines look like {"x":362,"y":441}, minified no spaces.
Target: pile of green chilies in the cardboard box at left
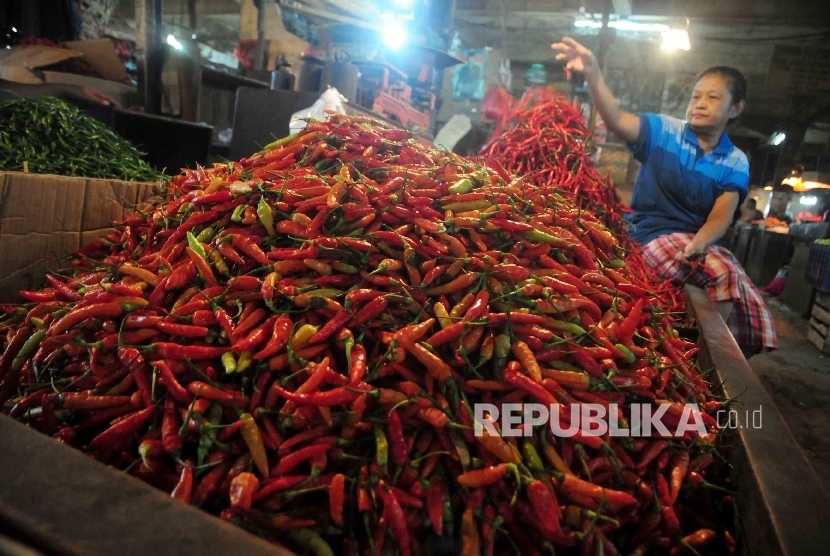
{"x":56,"y":138}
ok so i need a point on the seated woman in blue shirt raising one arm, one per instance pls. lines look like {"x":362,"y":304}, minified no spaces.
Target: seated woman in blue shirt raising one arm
{"x":692,"y":180}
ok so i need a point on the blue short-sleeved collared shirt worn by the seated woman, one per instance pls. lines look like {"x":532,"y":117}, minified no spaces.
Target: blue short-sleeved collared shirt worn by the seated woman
{"x":678,"y":183}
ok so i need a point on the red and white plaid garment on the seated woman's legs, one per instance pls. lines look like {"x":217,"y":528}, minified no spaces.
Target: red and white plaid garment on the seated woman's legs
{"x":723,"y":278}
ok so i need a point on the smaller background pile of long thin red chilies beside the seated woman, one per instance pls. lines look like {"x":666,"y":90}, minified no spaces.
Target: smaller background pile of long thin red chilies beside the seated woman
{"x":545,"y":139}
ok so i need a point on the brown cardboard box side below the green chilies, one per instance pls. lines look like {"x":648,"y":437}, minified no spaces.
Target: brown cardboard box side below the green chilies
{"x":44,"y":218}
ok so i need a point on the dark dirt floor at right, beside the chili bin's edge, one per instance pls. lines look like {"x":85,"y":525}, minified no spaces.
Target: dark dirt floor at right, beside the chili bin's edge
{"x":797,"y":377}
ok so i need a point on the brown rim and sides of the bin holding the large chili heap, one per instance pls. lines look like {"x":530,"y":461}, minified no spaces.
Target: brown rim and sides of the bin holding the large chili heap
{"x":59,"y":501}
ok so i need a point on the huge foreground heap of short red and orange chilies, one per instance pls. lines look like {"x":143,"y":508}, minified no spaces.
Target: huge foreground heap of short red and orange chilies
{"x":296,"y":342}
